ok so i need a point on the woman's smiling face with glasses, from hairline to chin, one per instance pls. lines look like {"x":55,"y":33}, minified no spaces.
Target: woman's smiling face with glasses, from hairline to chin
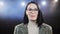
{"x":32,"y":11}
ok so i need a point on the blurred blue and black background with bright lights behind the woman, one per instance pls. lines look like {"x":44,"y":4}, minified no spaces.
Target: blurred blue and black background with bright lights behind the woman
{"x":12,"y":13}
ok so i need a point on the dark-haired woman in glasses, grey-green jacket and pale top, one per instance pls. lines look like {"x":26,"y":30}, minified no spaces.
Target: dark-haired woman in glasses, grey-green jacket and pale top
{"x":33,"y":22}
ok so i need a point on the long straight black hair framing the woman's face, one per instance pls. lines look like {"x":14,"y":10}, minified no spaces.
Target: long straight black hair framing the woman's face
{"x":39,"y":20}
